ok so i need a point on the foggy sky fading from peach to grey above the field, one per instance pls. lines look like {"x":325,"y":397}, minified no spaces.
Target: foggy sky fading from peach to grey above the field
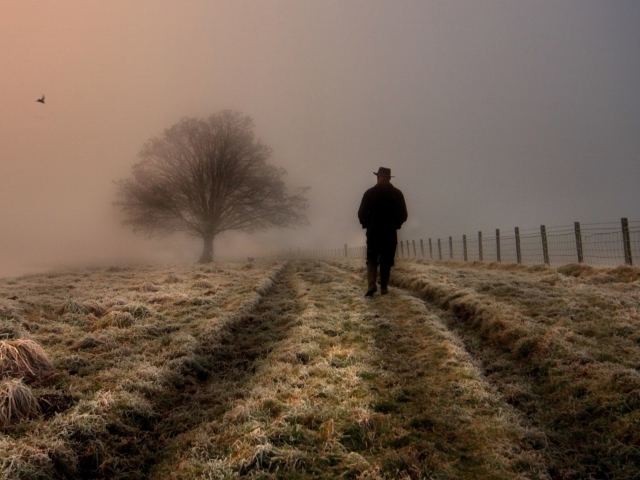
{"x":490,"y":114}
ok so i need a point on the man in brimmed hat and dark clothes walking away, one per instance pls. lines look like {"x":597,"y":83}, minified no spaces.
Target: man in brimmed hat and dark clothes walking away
{"x":382,"y":212}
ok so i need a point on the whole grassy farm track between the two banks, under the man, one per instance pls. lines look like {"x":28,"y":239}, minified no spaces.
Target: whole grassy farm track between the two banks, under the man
{"x":320,"y":382}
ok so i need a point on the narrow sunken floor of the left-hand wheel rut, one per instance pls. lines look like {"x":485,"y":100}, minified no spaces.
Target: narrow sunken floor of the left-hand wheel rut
{"x":224,"y":365}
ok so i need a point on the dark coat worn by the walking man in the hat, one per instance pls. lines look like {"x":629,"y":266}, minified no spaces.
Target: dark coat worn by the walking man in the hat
{"x":382,"y":209}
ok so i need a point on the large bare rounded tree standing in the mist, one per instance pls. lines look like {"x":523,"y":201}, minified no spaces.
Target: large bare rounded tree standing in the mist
{"x":206,"y":176}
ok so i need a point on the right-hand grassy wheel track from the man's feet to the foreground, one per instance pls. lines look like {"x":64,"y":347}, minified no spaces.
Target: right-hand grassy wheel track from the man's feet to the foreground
{"x":432,"y":379}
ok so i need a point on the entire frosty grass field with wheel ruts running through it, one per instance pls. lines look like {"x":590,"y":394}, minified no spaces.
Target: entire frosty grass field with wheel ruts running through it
{"x":282,"y":369}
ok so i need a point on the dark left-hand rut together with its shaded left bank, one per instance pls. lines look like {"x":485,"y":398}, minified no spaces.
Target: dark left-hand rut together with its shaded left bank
{"x":198,"y":386}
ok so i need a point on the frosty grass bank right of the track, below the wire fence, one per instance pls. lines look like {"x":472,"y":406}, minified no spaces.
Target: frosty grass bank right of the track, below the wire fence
{"x":560,"y":347}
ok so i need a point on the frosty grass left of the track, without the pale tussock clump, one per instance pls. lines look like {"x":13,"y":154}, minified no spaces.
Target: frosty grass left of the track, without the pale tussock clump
{"x":129,"y":346}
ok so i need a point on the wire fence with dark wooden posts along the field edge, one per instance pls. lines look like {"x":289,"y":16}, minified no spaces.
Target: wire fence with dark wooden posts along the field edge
{"x":598,"y":245}
